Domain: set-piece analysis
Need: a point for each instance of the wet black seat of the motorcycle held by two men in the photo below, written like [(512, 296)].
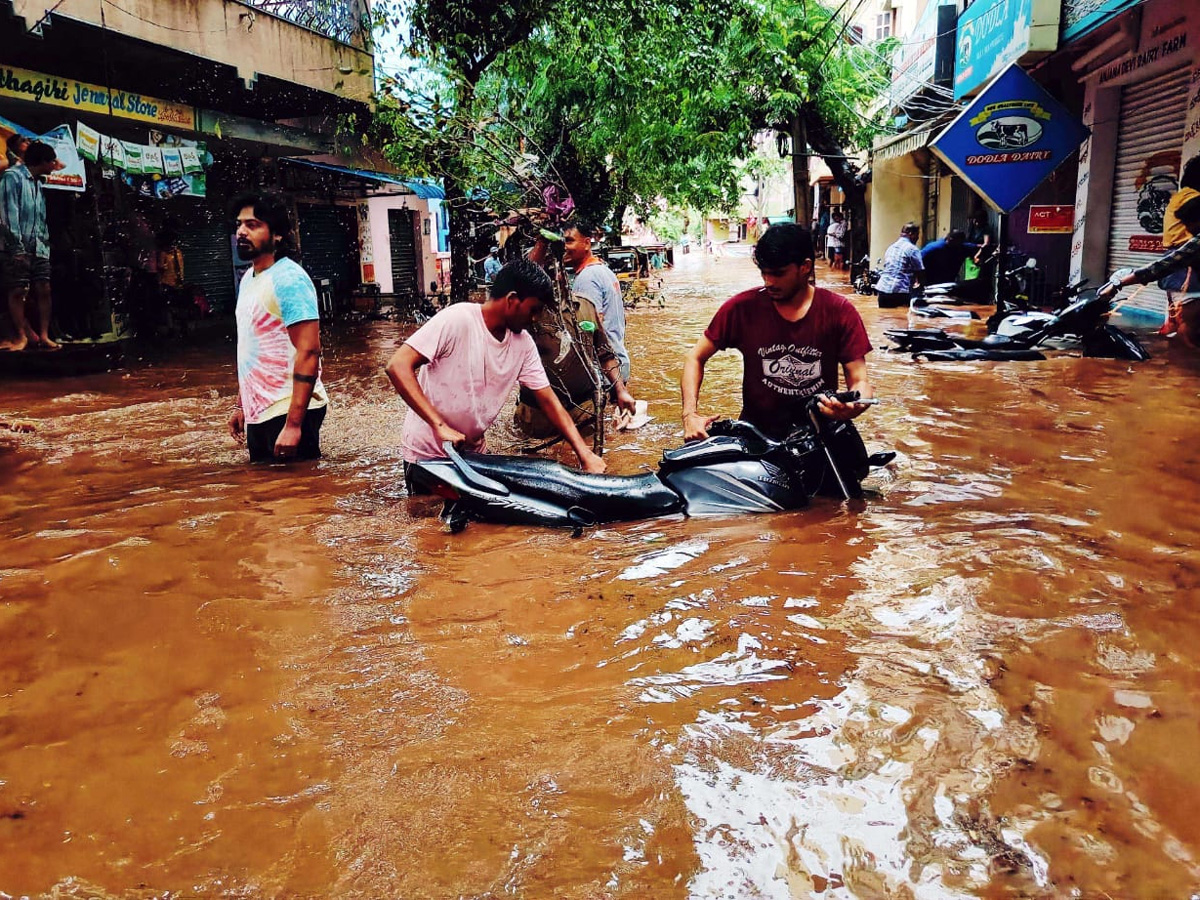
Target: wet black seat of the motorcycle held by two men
[(609, 499)]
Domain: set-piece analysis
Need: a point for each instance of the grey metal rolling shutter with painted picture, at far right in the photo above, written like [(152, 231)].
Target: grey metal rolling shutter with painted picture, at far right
[(1151, 124)]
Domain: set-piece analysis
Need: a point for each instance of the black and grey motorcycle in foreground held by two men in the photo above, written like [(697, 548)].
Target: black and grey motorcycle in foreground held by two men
[(736, 471)]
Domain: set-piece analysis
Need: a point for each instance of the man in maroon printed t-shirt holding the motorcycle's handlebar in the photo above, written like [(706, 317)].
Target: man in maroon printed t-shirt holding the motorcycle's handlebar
[(793, 338)]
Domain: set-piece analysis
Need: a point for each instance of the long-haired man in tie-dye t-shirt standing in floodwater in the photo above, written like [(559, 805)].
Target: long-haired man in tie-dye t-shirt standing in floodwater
[(281, 400)]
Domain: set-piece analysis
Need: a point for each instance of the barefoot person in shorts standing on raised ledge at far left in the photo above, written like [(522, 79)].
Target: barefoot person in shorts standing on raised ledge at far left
[(26, 239)]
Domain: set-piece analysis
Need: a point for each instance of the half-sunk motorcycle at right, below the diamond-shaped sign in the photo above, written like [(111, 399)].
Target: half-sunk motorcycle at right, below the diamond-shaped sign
[(1082, 325)]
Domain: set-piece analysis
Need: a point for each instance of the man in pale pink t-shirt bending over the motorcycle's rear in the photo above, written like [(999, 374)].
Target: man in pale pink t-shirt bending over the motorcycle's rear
[(460, 368)]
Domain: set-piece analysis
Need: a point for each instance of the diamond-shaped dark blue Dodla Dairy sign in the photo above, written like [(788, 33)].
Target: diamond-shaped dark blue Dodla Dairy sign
[(1010, 140)]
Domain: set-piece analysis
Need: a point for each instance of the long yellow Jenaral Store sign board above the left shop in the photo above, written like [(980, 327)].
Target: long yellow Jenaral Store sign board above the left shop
[(52, 91)]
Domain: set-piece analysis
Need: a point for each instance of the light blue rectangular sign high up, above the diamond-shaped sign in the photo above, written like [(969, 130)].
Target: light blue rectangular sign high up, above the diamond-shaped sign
[(991, 37)]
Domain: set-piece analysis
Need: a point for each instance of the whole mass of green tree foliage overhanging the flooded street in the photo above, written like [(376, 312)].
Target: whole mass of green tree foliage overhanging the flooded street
[(628, 104)]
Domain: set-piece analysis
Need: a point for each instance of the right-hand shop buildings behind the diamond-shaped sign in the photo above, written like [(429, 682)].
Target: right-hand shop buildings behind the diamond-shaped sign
[(1129, 70)]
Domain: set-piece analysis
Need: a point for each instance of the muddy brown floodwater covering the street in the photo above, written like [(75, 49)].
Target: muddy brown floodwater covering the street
[(219, 681)]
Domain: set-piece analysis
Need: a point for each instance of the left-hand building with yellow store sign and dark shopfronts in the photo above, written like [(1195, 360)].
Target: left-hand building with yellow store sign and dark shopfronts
[(165, 111)]
